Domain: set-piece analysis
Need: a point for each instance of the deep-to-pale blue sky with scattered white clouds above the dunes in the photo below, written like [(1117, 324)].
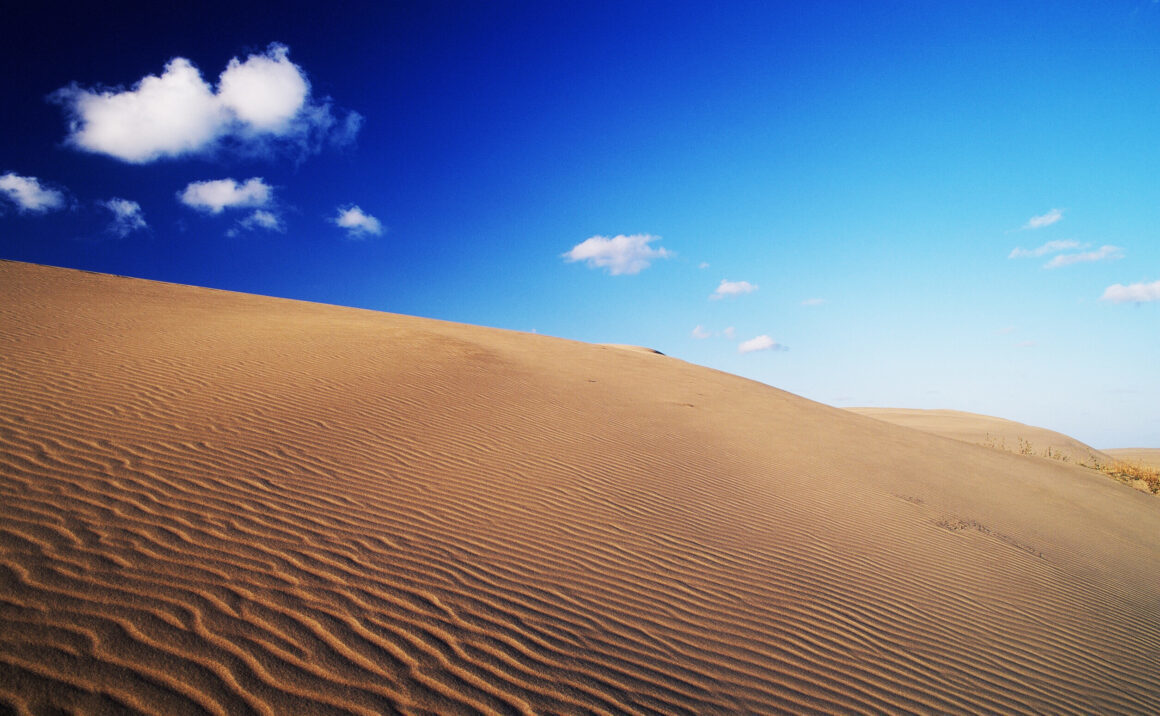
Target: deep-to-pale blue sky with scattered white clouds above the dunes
[(860, 179)]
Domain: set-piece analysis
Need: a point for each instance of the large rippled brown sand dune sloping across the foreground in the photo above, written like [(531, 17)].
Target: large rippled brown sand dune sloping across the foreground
[(227, 504)]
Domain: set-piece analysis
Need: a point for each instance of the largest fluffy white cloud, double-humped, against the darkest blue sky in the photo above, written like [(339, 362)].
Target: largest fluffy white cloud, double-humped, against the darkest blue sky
[(257, 105)]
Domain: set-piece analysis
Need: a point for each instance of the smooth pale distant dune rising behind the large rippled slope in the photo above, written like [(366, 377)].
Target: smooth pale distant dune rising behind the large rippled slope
[(989, 431)]
